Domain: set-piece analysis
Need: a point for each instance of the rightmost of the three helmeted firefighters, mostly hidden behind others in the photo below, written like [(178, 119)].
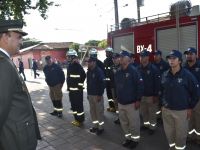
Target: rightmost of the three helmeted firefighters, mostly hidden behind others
[(108, 63)]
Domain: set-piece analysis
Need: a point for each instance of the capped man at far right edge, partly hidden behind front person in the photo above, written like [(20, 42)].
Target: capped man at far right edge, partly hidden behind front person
[(193, 65)]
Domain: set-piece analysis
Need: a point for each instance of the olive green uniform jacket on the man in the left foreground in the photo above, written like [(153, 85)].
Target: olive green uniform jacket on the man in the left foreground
[(18, 123)]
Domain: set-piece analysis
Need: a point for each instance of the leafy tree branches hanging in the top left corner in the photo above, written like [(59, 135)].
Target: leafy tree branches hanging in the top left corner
[(16, 9)]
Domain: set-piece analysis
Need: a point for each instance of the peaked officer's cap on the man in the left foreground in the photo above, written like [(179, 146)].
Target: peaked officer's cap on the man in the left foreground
[(12, 26)]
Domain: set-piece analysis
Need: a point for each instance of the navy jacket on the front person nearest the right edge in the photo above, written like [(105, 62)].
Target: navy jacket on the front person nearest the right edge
[(179, 91)]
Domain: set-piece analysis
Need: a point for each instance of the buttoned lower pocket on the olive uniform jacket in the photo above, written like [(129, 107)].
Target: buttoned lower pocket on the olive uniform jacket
[(26, 135)]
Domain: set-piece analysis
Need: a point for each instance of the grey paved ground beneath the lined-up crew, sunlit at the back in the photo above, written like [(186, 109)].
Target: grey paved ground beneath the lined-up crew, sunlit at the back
[(59, 134)]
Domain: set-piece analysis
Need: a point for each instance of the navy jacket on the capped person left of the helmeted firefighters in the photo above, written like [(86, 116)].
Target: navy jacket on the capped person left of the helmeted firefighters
[(54, 75)]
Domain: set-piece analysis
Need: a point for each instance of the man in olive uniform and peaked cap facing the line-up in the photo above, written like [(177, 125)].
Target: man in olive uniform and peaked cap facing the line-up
[(18, 123)]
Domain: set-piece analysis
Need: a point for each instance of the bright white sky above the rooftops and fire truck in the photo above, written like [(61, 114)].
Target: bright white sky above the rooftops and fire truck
[(83, 20)]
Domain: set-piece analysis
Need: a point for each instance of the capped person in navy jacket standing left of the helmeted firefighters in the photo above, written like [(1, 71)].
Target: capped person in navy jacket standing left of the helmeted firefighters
[(55, 78)]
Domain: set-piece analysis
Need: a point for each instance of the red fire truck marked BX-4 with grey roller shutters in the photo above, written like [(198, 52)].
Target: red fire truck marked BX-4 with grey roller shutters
[(163, 31)]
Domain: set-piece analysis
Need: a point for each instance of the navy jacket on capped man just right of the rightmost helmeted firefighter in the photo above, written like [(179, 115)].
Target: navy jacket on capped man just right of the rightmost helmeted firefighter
[(129, 85)]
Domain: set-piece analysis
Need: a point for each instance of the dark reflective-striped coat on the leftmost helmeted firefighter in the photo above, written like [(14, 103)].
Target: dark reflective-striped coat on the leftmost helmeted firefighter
[(75, 76)]
